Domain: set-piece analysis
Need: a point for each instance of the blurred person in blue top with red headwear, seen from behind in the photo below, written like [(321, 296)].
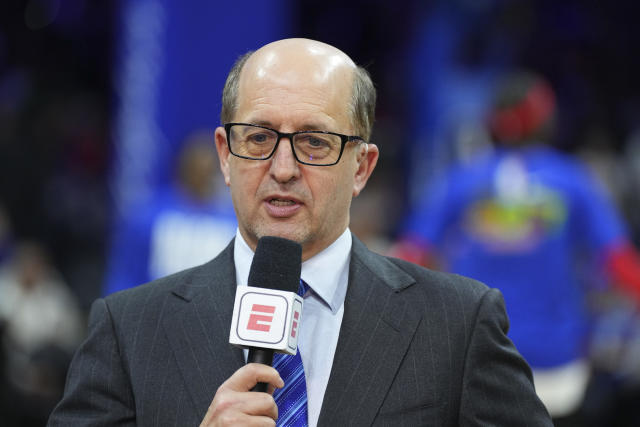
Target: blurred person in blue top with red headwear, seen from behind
[(534, 223)]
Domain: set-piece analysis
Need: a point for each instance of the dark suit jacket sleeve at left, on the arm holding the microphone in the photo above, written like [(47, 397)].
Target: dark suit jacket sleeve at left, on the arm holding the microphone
[(98, 391)]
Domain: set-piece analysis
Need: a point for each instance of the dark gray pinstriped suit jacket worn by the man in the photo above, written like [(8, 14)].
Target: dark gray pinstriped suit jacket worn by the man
[(416, 347)]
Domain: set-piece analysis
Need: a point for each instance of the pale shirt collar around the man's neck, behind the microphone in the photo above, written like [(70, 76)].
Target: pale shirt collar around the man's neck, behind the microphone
[(327, 272)]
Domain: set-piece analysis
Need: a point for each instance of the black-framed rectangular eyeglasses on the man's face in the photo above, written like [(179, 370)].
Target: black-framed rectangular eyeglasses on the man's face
[(313, 147)]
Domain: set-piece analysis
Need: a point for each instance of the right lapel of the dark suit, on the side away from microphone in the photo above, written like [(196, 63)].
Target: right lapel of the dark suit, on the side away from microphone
[(377, 327)]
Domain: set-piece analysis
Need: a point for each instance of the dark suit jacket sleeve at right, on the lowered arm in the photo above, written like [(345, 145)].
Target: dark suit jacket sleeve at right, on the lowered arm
[(497, 384)]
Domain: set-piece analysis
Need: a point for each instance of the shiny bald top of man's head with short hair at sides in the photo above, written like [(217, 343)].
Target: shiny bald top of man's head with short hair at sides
[(293, 63)]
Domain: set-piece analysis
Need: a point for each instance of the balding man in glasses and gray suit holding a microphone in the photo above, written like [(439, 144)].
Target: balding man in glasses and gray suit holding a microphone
[(383, 342)]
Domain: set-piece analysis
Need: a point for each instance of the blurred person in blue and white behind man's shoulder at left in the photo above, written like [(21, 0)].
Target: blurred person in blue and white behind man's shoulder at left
[(185, 225)]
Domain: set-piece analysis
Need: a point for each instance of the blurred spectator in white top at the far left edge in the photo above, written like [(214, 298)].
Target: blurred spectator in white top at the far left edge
[(42, 326)]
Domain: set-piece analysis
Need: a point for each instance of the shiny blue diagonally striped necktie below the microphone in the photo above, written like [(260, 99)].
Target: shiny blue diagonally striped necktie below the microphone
[(292, 398)]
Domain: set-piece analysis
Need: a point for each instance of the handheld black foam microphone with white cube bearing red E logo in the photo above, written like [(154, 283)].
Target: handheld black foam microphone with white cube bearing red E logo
[(267, 312)]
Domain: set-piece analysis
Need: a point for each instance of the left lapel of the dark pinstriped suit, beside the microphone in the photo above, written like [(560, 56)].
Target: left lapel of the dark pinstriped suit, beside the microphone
[(198, 331)]
